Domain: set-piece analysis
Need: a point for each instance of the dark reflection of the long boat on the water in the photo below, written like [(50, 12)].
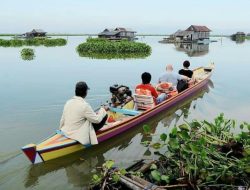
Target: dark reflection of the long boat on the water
[(79, 167)]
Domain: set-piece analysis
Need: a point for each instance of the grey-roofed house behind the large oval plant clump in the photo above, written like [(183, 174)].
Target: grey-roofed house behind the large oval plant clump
[(117, 33)]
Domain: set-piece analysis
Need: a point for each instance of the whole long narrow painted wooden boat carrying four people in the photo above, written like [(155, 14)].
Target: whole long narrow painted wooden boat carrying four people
[(57, 145)]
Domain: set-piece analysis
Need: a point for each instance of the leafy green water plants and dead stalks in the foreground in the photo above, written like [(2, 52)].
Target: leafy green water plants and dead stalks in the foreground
[(195, 155)]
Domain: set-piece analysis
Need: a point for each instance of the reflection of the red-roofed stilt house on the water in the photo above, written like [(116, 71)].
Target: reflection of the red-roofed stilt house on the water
[(192, 49)]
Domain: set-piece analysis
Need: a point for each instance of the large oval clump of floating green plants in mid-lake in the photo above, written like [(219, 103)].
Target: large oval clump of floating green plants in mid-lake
[(98, 48)]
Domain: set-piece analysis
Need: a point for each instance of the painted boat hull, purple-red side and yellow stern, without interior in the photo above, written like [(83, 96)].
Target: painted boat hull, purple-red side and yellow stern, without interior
[(58, 145)]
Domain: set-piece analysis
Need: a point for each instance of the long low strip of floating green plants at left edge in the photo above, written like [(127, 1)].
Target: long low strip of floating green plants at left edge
[(33, 42)]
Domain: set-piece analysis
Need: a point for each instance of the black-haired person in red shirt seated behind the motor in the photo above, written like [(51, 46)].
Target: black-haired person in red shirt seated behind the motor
[(146, 79)]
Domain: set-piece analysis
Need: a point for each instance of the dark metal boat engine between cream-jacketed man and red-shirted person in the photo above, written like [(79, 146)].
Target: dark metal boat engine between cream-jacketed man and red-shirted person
[(120, 95)]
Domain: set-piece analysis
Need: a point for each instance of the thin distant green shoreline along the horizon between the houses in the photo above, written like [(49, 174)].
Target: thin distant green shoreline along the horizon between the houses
[(219, 35)]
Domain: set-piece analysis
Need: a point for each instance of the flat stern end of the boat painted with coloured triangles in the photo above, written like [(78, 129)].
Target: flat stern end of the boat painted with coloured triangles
[(31, 153)]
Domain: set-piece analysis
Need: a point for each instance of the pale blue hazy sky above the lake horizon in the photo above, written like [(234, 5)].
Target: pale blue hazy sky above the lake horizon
[(144, 16)]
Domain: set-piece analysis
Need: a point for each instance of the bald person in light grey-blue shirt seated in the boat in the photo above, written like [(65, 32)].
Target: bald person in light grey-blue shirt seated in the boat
[(172, 77)]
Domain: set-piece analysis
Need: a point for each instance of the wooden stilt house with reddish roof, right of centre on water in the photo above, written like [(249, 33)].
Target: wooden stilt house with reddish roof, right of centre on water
[(192, 33)]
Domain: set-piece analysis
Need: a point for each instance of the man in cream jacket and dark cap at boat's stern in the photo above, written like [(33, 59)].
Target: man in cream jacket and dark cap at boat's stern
[(79, 121)]
